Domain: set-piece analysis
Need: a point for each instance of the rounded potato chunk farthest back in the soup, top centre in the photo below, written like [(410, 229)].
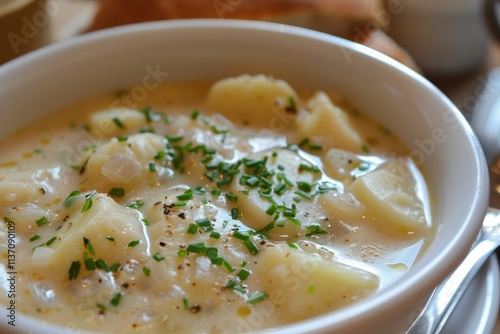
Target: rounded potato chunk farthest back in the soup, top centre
[(259, 101)]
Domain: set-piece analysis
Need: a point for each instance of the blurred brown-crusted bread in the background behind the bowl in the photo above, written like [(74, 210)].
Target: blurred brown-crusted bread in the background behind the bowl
[(348, 19)]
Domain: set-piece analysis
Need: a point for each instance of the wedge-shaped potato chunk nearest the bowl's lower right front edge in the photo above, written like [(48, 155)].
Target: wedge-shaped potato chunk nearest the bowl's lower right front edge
[(309, 285)]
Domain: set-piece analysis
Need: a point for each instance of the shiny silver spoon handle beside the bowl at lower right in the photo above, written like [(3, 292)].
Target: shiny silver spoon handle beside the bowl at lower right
[(446, 296)]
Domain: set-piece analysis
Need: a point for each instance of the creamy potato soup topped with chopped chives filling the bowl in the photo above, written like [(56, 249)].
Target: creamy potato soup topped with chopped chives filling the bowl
[(215, 208)]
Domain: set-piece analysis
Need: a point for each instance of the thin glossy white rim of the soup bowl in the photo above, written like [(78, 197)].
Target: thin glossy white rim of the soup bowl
[(383, 300)]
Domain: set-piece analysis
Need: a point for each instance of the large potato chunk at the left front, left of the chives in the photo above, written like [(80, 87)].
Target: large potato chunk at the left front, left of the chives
[(108, 226)]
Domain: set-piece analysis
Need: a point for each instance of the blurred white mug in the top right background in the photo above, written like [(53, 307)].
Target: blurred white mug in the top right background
[(445, 37)]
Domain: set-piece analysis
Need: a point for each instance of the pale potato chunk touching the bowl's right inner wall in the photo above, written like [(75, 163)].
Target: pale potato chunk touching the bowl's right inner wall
[(390, 194)]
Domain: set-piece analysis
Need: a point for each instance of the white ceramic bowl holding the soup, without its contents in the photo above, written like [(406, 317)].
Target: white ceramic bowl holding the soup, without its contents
[(440, 139)]
